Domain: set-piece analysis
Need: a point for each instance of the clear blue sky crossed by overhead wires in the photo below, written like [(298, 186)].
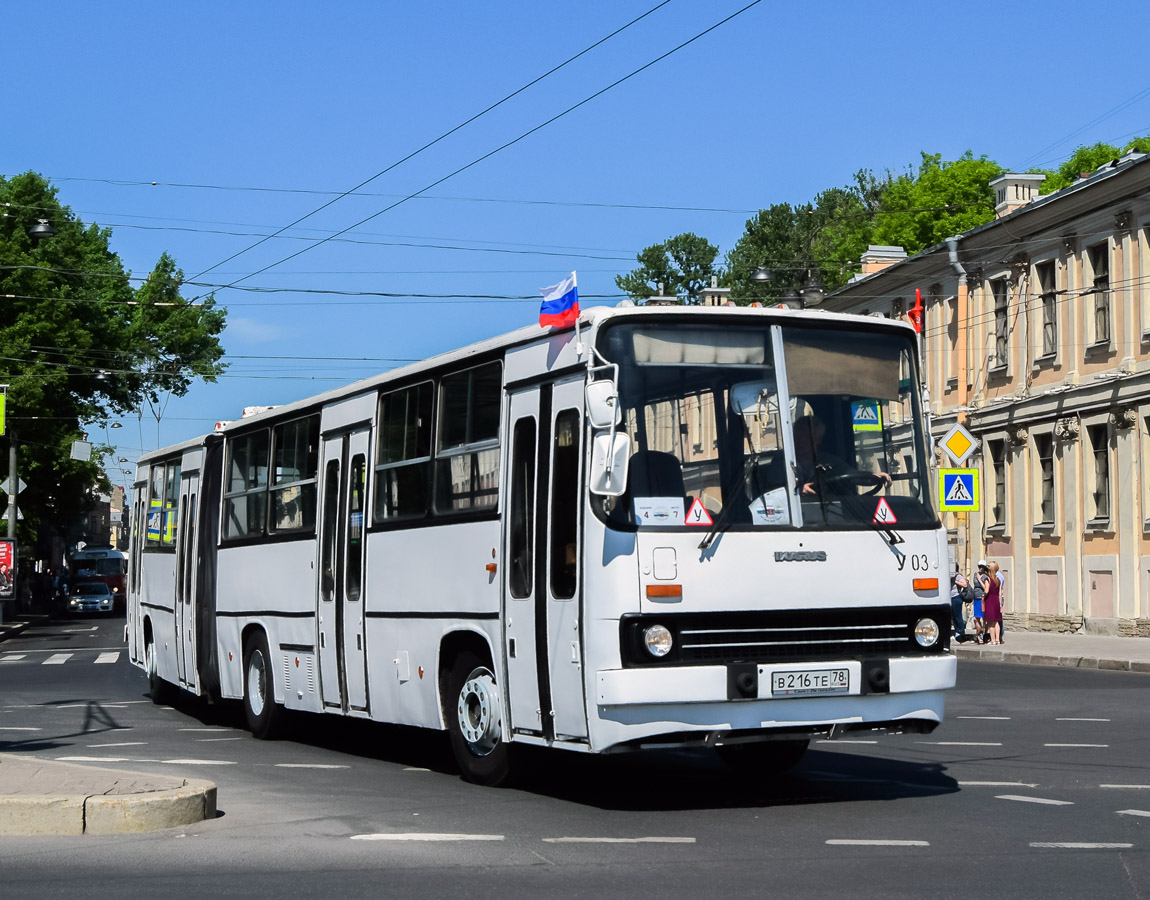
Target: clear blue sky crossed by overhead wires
[(250, 116)]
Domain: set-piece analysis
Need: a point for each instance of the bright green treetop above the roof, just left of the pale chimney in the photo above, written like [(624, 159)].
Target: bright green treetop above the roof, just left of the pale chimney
[(942, 199)]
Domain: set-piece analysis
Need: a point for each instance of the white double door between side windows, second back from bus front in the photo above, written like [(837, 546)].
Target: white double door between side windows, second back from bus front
[(343, 658)]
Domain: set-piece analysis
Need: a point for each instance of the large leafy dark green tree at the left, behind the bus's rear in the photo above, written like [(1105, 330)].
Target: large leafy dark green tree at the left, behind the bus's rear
[(81, 345)]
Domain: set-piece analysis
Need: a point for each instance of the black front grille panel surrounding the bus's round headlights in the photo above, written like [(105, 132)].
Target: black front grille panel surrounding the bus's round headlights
[(783, 636)]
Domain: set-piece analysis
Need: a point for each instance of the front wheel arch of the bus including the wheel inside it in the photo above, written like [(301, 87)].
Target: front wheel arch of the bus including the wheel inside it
[(472, 704)]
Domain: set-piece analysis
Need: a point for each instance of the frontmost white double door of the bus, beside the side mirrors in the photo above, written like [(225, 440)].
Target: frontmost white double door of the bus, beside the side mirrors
[(542, 553)]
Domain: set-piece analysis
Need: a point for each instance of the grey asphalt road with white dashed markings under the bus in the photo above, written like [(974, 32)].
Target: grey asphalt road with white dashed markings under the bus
[(1037, 787)]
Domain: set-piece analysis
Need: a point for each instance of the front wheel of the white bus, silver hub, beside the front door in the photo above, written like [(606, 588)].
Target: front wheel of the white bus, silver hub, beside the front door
[(476, 722)]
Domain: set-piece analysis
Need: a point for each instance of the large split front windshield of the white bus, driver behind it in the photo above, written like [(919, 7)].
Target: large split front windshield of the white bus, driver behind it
[(829, 437)]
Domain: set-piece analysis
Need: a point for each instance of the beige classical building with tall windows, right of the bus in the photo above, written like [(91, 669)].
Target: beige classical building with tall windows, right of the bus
[(1037, 336)]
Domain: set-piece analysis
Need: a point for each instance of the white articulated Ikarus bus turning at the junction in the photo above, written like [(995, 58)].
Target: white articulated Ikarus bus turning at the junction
[(673, 527)]
